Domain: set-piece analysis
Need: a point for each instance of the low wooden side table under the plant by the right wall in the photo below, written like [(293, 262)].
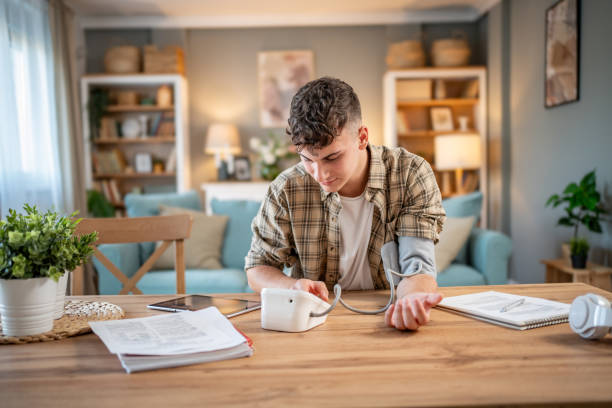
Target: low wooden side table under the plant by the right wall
[(560, 270)]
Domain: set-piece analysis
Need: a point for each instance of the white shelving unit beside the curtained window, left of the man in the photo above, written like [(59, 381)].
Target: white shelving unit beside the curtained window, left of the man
[(180, 177)]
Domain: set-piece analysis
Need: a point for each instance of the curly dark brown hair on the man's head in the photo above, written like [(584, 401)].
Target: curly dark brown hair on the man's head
[(320, 110)]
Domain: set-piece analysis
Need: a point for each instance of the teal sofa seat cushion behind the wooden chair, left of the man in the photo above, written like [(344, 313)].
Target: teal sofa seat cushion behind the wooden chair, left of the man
[(196, 281)]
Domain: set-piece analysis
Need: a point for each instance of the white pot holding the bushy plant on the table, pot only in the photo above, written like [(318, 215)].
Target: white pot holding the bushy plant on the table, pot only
[(27, 305)]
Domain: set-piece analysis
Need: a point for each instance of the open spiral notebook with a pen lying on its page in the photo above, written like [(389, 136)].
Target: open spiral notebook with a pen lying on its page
[(505, 309)]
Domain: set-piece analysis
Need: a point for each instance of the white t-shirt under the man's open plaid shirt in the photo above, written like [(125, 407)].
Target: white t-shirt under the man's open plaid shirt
[(355, 227)]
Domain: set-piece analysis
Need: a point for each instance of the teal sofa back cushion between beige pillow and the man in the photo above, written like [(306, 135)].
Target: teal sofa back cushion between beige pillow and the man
[(237, 241)]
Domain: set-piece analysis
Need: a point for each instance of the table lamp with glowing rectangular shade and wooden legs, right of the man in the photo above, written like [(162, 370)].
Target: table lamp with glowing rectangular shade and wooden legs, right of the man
[(456, 152)]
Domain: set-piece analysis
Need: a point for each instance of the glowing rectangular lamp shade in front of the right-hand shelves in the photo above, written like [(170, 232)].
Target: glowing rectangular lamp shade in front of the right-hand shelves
[(457, 151)]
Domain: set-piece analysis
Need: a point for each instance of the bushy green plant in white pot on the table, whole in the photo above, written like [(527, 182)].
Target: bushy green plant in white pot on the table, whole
[(36, 251)]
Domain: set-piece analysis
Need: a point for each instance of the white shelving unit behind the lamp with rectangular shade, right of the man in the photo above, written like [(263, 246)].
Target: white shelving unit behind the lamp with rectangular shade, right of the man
[(475, 107)]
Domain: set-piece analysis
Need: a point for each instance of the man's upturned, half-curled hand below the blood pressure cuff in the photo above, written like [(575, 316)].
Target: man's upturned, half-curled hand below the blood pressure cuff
[(411, 311)]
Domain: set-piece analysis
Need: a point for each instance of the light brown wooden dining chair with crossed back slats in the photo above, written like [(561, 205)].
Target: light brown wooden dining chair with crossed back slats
[(169, 229)]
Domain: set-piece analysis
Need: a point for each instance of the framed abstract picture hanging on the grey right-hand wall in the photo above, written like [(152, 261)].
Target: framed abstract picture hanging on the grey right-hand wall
[(562, 52)]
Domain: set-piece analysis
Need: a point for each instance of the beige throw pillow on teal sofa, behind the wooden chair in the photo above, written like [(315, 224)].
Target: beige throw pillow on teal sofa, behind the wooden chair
[(203, 247)]
